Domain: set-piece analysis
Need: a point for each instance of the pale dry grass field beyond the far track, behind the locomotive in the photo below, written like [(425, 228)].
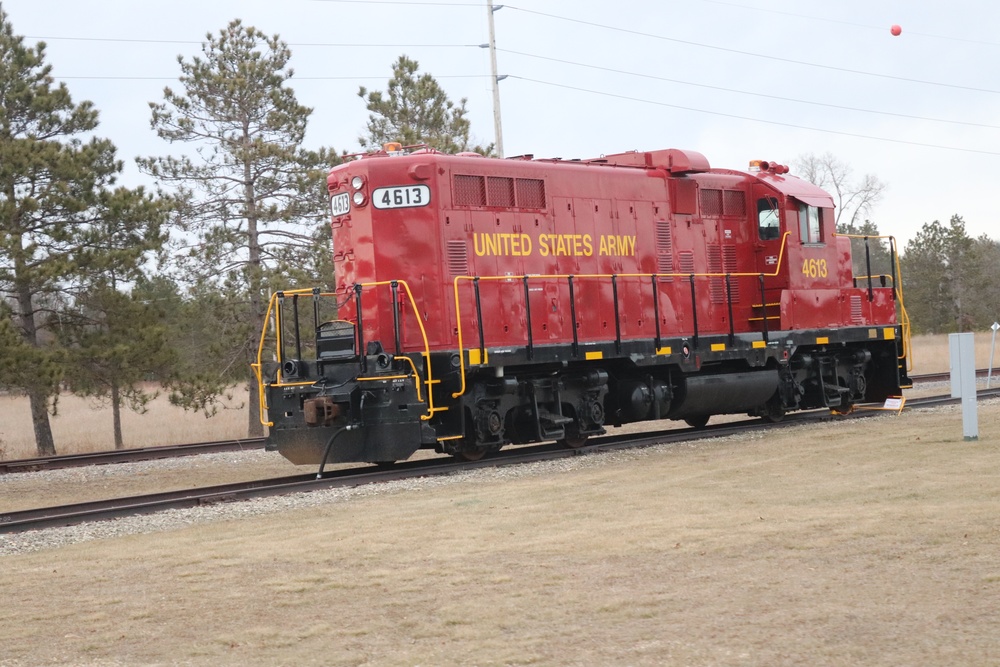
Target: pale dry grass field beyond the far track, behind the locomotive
[(83, 425)]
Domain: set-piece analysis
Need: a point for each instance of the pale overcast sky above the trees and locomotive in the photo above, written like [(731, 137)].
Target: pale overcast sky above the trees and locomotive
[(733, 79)]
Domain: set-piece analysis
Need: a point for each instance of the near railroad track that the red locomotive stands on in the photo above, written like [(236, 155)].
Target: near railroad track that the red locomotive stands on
[(66, 515)]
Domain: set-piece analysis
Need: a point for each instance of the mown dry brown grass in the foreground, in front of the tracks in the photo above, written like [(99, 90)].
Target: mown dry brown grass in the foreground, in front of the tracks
[(856, 543)]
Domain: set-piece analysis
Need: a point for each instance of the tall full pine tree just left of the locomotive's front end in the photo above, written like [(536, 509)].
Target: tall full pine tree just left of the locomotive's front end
[(250, 190)]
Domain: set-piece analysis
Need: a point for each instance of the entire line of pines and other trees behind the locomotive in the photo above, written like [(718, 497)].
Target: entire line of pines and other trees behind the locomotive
[(106, 291)]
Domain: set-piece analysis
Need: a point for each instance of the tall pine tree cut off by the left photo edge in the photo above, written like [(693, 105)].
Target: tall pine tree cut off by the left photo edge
[(51, 177)]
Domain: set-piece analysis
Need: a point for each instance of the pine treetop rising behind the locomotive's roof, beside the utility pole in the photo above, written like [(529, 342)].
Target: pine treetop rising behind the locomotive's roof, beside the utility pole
[(416, 110)]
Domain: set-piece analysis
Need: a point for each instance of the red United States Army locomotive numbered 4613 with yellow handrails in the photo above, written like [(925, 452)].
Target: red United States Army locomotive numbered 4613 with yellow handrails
[(482, 302)]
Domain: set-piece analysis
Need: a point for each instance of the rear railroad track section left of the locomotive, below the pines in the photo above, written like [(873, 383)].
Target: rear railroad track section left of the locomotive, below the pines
[(128, 455)]
